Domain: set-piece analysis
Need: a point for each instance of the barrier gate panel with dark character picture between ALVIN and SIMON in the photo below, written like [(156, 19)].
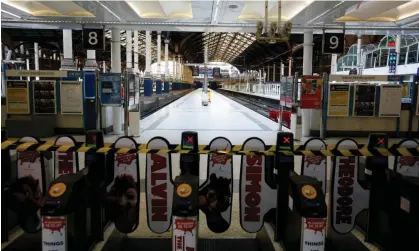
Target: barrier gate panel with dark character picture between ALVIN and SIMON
[(216, 193)]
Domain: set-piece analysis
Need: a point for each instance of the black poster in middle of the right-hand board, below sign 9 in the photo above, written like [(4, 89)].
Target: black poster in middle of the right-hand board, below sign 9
[(364, 100)]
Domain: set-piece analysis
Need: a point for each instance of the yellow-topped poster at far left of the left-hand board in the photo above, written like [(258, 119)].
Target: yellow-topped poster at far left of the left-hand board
[(17, 97)]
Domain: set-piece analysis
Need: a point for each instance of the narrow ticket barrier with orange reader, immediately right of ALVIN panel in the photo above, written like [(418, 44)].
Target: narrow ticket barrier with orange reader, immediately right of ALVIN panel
[(185, 197)]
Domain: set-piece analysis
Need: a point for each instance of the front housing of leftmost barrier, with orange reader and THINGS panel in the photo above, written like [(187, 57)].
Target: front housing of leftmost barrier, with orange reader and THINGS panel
[(64, 214)]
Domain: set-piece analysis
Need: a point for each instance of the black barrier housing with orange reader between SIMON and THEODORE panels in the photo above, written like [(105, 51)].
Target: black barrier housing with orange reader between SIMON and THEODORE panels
[(306, 228)]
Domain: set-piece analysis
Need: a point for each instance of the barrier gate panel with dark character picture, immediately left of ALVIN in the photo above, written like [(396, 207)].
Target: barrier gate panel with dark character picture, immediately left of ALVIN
[(124, 194)]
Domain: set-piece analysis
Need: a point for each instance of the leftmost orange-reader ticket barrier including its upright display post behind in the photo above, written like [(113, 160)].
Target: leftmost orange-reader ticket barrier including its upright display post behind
[(72, 214)]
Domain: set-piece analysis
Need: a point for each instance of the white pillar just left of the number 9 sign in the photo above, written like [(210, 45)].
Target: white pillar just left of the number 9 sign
[(307, 70)]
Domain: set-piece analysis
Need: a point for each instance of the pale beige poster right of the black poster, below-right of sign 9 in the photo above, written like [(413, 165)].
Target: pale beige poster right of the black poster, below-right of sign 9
[(390, 100)]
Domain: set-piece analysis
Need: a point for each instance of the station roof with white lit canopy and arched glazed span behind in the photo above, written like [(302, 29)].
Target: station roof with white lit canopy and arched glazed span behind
[(226, 27)]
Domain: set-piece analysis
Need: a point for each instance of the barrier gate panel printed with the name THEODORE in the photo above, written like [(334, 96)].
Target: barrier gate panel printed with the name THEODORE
[(349, 198)]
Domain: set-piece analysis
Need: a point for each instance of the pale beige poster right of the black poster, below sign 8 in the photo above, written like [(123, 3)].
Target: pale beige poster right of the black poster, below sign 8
[(71, 96)]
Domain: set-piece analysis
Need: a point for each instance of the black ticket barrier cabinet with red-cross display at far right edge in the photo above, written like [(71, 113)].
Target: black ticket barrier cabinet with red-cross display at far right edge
[(392, 219)]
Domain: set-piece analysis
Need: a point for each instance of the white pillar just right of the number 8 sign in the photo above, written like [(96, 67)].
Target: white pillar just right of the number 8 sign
[(116, 68)]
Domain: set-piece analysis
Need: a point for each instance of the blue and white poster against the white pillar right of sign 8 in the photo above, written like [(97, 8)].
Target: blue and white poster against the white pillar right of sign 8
[(110, 89)]
